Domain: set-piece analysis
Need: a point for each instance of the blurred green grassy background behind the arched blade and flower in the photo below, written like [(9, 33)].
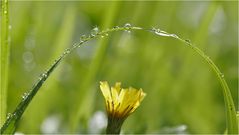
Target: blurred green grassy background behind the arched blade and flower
[(181, 88)]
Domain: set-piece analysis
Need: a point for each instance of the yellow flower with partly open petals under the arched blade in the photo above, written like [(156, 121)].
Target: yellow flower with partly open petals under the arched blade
[(120, 103)]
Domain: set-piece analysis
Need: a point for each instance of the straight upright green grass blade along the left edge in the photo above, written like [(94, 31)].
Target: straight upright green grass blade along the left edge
[(4, 57)]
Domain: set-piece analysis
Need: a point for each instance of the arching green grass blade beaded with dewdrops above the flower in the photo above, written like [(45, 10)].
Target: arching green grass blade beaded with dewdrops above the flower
[(9, 126)]
